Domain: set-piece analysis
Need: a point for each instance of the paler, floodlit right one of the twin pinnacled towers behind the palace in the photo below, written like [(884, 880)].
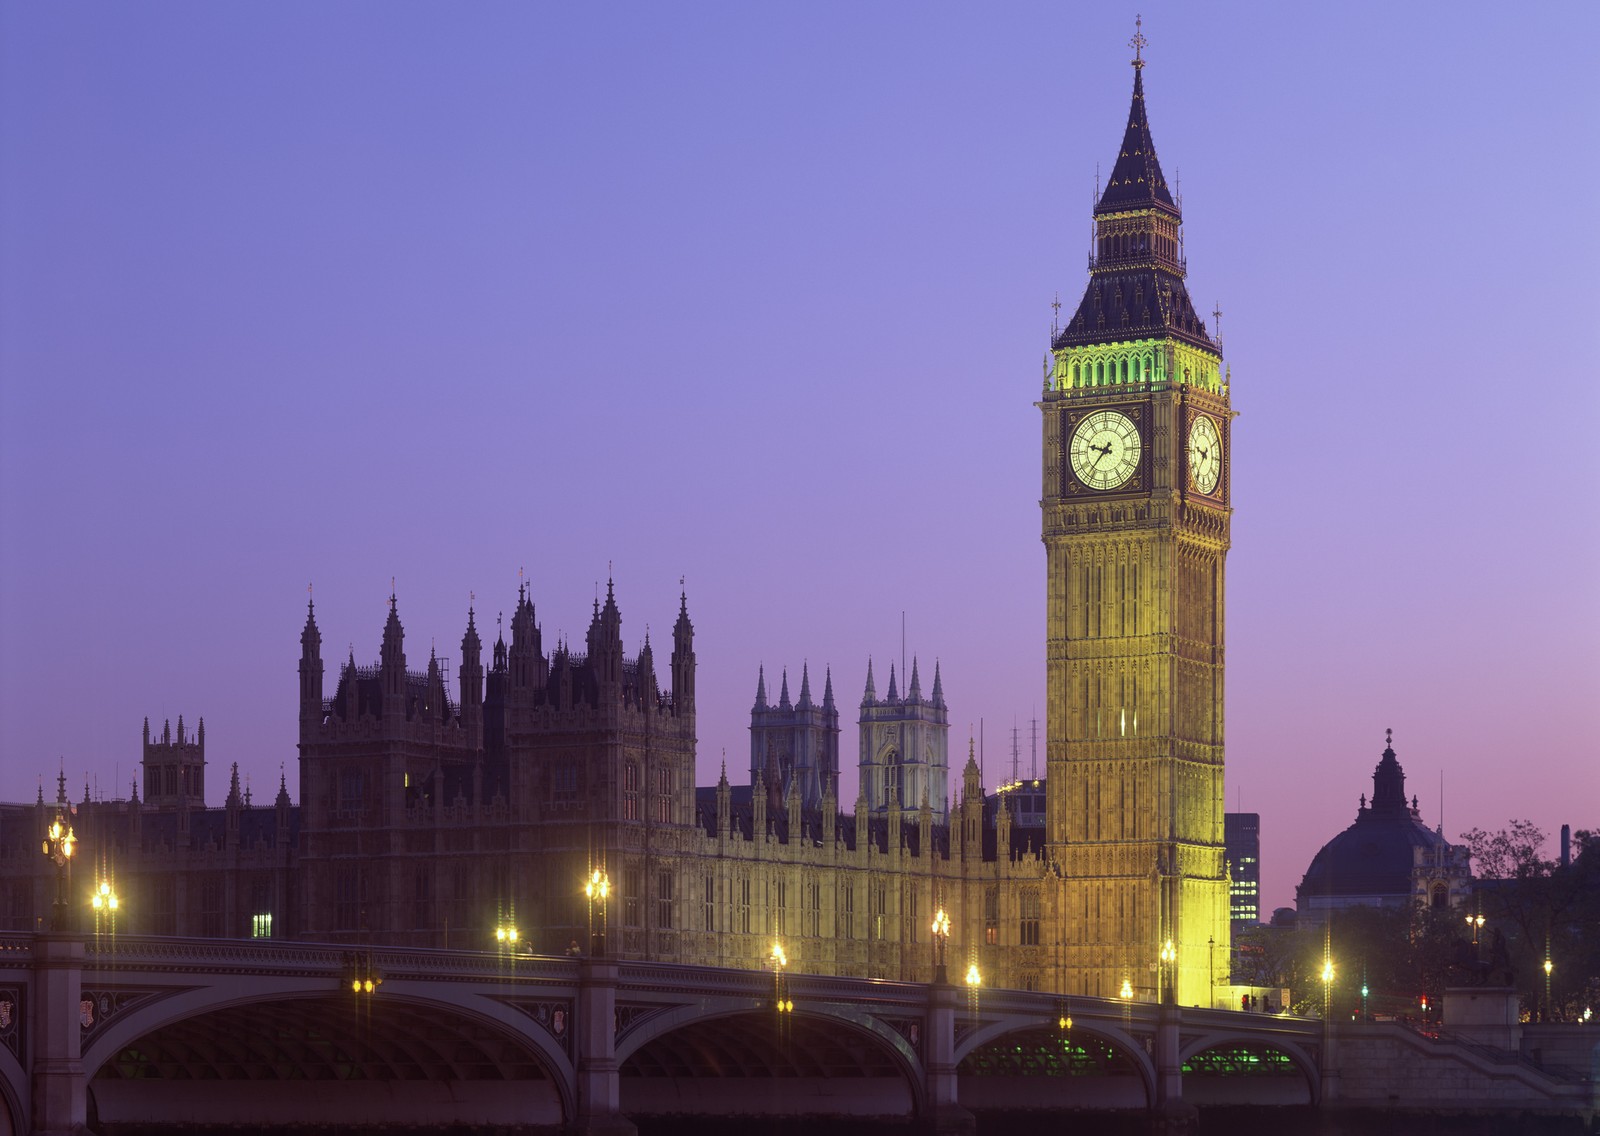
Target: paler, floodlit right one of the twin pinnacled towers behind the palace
[(905, 756)]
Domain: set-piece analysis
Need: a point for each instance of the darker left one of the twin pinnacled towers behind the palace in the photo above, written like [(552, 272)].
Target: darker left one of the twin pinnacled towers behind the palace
[(794, 746)]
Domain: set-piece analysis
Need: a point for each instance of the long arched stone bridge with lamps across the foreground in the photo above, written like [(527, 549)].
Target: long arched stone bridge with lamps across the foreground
[(214, 1033)]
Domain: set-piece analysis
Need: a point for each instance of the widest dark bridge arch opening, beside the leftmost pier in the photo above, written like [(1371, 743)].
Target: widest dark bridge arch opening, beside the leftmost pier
[(409, 1052)]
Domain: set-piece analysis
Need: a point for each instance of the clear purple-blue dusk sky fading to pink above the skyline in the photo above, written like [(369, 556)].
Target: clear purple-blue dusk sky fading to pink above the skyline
[(758, 295)]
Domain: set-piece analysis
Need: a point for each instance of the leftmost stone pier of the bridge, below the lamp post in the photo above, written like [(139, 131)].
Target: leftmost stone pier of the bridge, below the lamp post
[(60, 1090)]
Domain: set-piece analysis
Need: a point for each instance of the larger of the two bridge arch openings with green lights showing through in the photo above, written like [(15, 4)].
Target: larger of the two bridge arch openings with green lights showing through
[(1023, 1063)]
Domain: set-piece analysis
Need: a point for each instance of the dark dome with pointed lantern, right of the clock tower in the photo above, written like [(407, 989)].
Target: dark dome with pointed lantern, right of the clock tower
[(1375, 858)]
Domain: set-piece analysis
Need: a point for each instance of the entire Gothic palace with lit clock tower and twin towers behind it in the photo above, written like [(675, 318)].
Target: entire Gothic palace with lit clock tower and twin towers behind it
[(436, 810)]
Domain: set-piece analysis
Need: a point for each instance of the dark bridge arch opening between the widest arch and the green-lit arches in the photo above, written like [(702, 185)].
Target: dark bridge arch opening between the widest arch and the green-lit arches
[(823, 1060)]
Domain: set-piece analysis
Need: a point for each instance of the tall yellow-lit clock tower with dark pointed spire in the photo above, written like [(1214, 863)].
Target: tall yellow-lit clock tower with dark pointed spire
[(1137, 511)]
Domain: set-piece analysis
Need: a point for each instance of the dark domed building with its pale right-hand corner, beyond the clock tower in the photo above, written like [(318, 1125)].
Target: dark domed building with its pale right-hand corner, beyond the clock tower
[(1388, 858)]
